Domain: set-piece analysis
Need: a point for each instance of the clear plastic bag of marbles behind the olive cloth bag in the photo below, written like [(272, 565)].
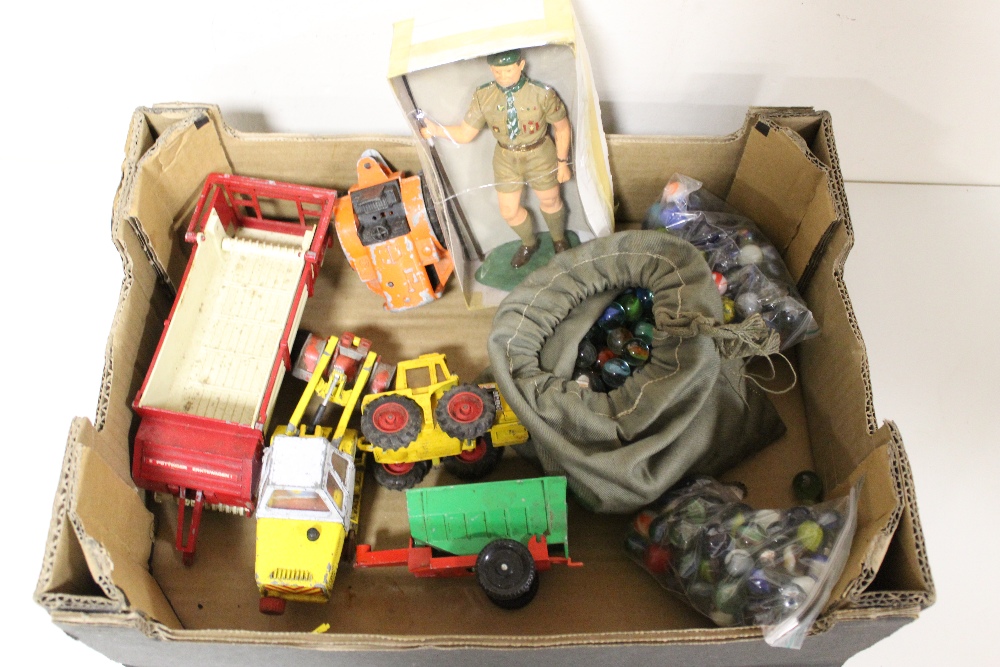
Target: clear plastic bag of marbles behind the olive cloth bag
[(748, 269)]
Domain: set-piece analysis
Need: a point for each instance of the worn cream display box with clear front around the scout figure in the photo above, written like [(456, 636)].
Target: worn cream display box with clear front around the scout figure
[(436, 65)]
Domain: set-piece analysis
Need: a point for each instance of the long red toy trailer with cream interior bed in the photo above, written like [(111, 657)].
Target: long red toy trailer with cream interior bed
[(210, 389)]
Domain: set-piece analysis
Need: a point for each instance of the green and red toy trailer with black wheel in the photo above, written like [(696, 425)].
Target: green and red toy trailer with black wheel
[(503, 532)]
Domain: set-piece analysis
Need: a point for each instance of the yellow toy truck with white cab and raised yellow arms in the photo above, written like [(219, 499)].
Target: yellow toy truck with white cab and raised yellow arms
[(310, 480)]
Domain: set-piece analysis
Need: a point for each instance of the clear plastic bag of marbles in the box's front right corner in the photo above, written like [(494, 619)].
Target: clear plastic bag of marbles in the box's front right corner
[(741, 566)]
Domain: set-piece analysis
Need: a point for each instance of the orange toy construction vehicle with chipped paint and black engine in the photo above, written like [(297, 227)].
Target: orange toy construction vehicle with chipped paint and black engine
[(391, 236)]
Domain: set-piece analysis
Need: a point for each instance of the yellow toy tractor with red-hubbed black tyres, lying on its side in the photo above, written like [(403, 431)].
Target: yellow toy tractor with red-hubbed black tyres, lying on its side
[(431, 418)]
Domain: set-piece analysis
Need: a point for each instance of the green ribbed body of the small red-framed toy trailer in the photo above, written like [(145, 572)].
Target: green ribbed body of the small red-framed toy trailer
[(463, 519)]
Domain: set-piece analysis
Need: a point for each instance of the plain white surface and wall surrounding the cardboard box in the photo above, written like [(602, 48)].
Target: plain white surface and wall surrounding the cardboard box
[(912, 86)]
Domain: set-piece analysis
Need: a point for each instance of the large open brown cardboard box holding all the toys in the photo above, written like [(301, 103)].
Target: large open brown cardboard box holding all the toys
[(112, 578)]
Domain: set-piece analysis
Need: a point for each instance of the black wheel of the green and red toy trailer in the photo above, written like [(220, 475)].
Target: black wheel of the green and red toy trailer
[(506, 572)]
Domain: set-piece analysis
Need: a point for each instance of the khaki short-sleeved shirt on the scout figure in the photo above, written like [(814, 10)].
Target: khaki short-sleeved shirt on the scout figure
[(537, 106)]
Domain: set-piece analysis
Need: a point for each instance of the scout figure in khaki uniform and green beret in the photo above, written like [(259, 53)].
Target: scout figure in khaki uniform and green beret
[(519, 111)]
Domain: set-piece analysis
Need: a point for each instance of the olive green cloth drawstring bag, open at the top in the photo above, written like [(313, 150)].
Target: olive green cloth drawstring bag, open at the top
[(690, 409)]
